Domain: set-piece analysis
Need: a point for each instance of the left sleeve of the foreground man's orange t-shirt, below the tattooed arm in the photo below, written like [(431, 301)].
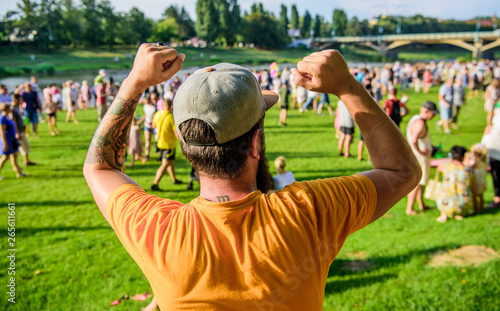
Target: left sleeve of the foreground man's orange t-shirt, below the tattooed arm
[(137, 218)]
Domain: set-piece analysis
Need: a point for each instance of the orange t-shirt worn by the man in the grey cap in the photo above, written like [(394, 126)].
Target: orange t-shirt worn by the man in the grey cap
[(262, 252)]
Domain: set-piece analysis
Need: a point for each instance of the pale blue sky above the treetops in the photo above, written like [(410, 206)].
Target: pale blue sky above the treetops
[(363, 9)]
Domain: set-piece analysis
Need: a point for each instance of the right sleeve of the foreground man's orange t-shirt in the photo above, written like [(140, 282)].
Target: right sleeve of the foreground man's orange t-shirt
[(341, 206)]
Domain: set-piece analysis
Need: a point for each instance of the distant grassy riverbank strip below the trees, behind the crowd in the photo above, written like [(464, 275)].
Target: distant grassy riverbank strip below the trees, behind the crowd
[(14, 62)]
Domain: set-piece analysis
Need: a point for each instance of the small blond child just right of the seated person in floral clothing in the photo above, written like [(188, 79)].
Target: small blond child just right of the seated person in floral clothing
[(477, 161)]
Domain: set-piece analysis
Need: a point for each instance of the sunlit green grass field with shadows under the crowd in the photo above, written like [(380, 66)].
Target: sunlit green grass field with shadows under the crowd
[(68, 258)]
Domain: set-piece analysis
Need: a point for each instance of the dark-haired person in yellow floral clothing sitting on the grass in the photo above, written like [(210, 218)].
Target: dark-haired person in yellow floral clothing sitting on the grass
[(454, 199)]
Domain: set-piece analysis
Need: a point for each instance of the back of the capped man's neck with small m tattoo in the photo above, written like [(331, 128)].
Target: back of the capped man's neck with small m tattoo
[(225, 190)]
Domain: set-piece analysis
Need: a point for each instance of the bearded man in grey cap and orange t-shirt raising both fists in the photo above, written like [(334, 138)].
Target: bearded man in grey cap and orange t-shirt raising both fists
[(239, 246)]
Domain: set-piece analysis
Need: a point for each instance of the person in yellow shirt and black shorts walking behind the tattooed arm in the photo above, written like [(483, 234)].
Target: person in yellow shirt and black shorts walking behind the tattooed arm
[(163, 122)]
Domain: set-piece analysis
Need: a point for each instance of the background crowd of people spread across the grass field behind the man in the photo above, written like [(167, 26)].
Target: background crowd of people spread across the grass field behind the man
[(28, 105)]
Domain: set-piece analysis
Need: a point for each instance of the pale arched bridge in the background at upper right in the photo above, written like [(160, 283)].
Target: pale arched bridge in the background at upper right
[(475, 41)]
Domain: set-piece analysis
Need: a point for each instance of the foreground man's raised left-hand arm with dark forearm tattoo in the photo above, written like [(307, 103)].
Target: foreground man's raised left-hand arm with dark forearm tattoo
[(102, 170)]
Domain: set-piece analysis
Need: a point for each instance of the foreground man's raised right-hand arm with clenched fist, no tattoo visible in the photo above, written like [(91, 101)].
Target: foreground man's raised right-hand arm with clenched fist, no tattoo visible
[(396, 170)]
